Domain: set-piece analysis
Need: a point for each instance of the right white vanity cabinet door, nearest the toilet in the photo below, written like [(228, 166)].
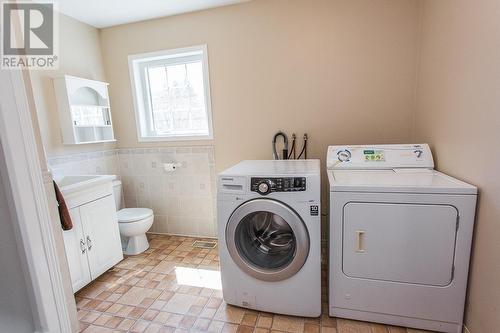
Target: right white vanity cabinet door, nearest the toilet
[(102, 235)]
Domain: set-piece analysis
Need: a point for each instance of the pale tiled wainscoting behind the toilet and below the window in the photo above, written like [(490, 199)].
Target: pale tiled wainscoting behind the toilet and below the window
[(183, 201)]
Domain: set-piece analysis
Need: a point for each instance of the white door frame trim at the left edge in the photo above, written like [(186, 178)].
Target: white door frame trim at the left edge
[(29, 207)]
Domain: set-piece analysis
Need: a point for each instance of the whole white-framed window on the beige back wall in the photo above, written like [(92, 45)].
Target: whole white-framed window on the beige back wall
[(172, 94)]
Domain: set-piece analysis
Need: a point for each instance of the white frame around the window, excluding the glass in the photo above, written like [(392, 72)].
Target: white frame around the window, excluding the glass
[(140, 91)]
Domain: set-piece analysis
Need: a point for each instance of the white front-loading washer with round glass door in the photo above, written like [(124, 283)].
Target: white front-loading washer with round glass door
[(269, 236)]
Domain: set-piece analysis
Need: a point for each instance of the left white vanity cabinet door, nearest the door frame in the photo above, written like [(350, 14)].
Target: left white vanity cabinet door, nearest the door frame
[(76, 252)]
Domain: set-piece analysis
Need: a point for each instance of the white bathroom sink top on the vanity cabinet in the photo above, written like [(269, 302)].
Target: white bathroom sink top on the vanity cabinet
[(78, 189)]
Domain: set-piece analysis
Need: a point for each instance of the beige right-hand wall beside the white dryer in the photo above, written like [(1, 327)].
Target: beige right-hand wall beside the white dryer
[(459, 115)]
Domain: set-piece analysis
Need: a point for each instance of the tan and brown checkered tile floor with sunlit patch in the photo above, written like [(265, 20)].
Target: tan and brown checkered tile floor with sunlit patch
[(174, 287)]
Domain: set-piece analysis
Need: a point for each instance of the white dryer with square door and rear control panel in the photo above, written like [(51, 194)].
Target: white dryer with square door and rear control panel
[(400, 237)]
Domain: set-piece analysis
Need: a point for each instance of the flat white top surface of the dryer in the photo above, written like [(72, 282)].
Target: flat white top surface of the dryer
[(397, 181)]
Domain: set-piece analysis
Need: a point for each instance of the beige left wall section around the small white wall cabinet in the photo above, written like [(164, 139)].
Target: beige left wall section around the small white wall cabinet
[(79, 55)]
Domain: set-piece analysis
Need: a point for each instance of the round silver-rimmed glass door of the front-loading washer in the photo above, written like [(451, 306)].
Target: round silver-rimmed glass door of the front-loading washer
[(267, 239)]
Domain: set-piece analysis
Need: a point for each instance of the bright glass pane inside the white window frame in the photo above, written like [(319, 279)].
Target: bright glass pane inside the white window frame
[(177, 99)]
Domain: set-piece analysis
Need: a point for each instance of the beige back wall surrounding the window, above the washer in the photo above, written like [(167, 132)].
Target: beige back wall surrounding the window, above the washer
[(343, 71)]
